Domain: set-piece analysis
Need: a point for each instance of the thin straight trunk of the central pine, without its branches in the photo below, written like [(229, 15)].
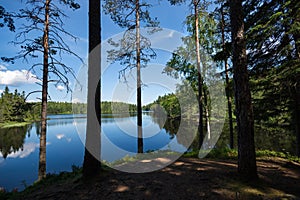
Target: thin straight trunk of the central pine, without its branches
[(138, 80)]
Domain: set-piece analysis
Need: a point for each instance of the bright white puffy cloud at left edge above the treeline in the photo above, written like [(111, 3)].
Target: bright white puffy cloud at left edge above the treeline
[(17, 77)]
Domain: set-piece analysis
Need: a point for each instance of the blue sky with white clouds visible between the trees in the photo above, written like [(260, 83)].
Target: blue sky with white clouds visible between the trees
[(16, 75)]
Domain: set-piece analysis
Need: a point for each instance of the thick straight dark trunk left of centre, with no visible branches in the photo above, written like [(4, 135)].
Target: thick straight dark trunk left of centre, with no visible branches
[(91, 163)]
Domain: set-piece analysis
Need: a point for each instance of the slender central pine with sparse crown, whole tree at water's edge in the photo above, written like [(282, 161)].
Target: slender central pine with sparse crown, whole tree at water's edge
[(133, 50)]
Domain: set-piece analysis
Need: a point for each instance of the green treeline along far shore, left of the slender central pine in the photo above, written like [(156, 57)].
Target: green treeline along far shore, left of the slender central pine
[(15, 108)]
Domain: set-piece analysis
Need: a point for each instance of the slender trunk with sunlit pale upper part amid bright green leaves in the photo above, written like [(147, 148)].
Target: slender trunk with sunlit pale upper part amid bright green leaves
[(200, 87)]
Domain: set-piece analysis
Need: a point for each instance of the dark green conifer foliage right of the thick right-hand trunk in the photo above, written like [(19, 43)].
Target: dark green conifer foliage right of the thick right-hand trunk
[(273, 39)]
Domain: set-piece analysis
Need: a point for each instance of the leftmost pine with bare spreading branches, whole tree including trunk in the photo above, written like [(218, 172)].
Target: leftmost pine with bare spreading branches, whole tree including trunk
[(39, 17)]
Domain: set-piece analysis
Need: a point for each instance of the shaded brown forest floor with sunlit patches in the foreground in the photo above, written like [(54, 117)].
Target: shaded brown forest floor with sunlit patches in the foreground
[(187, 178)]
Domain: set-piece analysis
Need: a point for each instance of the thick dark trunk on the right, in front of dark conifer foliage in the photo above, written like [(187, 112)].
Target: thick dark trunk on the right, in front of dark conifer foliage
[(245, 122)]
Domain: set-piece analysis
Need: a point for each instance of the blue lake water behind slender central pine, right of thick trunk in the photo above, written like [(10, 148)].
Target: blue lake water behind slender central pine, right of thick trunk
[(120, 136)]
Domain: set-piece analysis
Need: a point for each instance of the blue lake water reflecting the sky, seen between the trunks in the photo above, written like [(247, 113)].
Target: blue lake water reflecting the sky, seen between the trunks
[(19, 147)]
